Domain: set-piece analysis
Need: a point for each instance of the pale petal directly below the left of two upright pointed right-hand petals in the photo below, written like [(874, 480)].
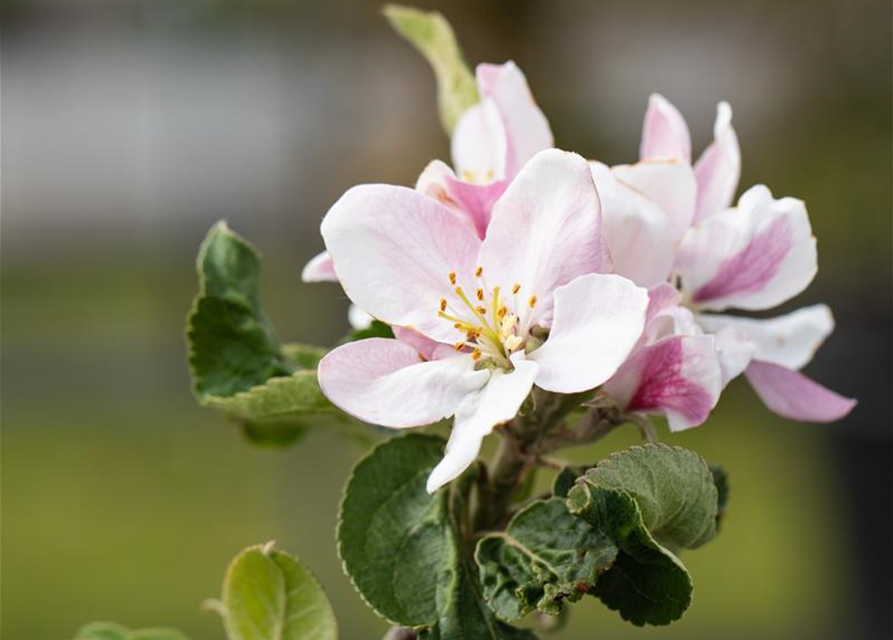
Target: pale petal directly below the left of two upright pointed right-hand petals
[(670, 184)]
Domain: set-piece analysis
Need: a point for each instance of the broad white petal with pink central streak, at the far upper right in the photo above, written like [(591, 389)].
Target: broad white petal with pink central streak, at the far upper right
[(753, 257)]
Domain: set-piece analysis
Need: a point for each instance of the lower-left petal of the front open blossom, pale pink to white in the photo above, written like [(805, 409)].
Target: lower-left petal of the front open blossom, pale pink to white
[(385, 382)]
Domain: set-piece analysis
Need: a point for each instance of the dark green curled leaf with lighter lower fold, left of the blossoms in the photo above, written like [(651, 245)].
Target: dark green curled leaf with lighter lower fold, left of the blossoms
[(238, 365)]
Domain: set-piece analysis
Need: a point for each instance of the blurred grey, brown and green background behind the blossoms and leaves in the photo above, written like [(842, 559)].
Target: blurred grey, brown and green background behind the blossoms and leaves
[(130, 126)]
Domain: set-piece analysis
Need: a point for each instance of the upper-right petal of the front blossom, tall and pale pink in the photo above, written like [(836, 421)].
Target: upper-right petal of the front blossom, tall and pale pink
[(545, 231)]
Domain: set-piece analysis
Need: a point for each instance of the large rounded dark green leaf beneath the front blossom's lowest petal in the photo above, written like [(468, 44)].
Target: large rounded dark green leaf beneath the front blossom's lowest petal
[(405, 550)]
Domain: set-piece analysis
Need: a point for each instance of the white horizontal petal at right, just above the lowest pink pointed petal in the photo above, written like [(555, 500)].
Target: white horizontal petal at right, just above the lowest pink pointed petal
[(789, 341)]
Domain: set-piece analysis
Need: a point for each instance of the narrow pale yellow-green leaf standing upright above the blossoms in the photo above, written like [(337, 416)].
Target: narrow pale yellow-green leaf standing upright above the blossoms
[(432, 36)]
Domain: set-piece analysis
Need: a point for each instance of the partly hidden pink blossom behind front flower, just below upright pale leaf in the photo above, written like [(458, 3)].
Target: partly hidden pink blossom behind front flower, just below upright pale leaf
[(490, 144)]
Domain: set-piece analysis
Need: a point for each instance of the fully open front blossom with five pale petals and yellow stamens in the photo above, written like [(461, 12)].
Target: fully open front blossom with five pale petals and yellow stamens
[(479, 321)]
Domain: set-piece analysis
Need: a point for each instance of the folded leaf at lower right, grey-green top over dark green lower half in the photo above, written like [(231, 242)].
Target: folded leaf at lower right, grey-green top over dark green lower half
[(648, 500)]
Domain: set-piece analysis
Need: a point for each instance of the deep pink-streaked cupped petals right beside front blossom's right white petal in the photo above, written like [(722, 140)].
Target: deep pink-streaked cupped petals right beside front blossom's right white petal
[(674, 370)]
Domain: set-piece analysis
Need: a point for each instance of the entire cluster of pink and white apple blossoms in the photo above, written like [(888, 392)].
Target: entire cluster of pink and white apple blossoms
[(526, 265)]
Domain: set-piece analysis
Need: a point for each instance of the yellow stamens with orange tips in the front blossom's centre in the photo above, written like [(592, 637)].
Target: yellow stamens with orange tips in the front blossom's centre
[(487, 320)]
